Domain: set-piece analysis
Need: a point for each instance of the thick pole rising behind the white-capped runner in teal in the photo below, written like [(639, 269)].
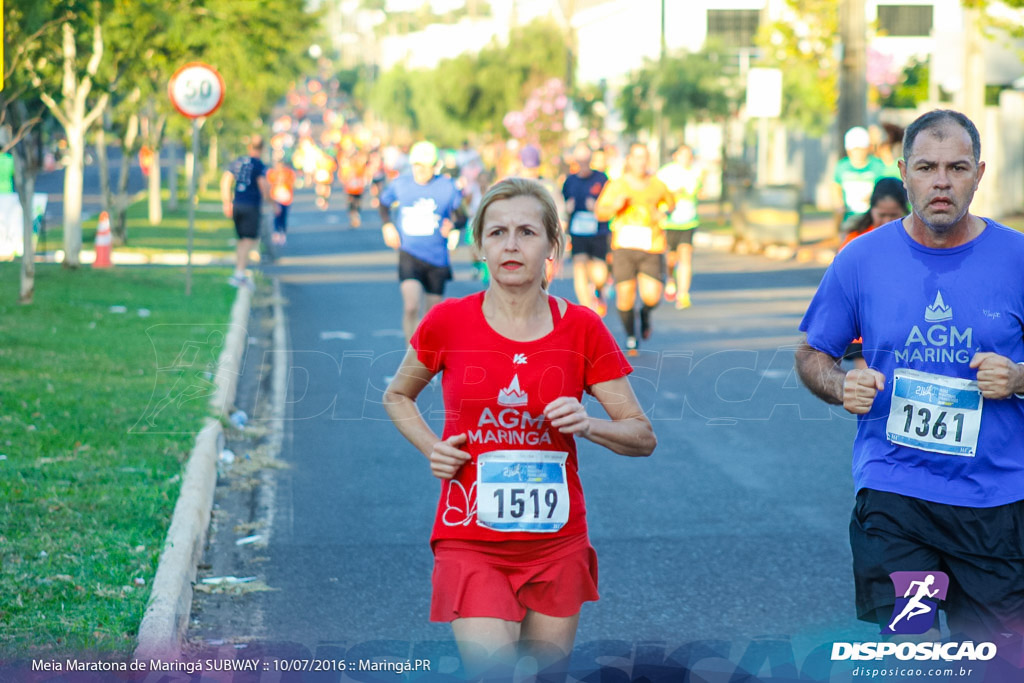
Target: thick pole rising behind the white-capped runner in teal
[(854, 68)]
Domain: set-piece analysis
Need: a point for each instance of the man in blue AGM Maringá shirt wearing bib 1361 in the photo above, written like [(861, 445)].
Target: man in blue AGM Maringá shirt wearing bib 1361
[(938, 460)]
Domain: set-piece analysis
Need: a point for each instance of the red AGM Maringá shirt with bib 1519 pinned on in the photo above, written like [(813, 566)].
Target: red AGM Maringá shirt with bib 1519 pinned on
[(495, 392)]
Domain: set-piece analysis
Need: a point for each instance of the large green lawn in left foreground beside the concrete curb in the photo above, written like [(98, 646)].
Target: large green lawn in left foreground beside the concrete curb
[(92, 471)]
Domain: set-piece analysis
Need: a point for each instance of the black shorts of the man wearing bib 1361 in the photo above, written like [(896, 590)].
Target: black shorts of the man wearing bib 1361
[(982, 550)]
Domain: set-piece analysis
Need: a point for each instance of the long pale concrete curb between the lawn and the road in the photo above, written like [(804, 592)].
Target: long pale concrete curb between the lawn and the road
[(166, 619)]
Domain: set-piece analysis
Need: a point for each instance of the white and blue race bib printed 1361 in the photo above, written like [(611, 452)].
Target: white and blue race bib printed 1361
[(935, 413)]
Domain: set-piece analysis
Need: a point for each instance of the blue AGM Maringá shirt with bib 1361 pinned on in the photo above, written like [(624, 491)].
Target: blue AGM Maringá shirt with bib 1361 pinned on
[(930, 311)]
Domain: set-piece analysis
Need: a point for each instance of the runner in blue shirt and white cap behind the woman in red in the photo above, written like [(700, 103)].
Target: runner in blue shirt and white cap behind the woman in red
[(423, 203)]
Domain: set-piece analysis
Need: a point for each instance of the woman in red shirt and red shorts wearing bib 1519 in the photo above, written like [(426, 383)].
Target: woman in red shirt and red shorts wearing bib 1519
[(513, 559)]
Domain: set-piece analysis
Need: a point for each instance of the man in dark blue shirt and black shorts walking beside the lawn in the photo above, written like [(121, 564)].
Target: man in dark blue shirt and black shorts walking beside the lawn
[(243, 188)]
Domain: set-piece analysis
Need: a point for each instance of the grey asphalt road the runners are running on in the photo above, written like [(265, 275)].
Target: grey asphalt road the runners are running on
[(732, 540)]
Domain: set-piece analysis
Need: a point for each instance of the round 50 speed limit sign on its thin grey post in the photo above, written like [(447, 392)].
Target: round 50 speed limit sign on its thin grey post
[(196, 91)]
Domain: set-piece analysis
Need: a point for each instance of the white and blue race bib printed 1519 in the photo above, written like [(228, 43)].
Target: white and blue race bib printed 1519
[(523, 491)]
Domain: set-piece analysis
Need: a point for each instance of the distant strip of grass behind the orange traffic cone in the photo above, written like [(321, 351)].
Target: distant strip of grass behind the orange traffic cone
[(214, 233)]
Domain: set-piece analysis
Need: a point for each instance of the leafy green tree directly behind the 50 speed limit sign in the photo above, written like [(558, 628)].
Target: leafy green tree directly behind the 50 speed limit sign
[(250, 45)]
